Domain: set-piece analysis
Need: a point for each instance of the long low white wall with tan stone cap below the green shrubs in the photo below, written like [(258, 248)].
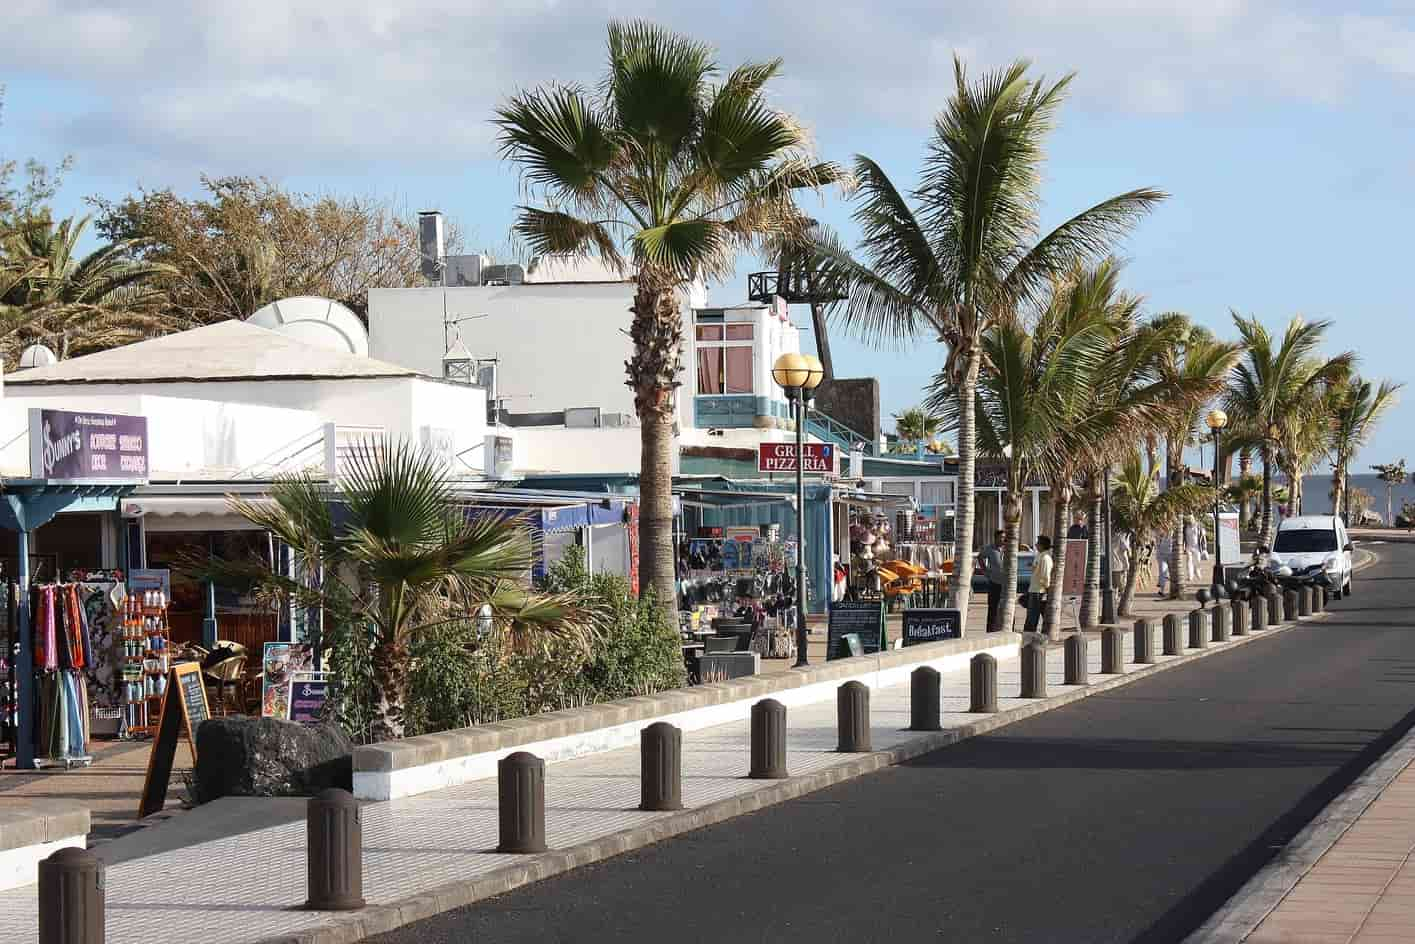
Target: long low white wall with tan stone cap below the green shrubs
[(420, 765)]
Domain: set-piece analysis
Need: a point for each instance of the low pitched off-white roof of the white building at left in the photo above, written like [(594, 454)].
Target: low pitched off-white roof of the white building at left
[(224, 352)]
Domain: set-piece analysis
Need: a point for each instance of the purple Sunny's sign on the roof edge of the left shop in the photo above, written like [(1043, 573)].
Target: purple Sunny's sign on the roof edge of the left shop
[(88, 448)]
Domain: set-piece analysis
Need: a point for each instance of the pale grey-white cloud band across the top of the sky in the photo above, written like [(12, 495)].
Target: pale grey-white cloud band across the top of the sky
[(299, 87)]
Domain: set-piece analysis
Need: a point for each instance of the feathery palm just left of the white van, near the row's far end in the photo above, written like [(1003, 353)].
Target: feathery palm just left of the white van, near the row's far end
[(1277, 384)]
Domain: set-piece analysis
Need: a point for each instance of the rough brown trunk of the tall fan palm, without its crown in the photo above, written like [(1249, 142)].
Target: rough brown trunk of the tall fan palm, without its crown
[(653, 373)]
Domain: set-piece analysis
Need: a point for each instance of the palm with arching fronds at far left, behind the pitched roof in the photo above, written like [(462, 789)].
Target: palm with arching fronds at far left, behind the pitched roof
[(73, 304)]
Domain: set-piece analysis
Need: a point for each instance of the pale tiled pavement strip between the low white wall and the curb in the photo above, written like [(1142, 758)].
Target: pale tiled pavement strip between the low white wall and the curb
[(247, 888)]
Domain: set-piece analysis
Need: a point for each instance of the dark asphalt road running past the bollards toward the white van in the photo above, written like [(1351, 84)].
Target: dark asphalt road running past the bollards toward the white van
[(1127, 817)]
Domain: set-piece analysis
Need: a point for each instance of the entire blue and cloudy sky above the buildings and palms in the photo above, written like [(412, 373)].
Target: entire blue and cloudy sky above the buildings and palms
[(1284, 132)]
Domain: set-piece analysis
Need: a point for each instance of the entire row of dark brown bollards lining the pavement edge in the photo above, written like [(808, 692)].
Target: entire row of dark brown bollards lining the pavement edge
[(71, 881)]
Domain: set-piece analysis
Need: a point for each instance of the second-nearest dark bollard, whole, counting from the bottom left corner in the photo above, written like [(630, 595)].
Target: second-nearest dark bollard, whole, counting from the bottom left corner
[(335, 853)]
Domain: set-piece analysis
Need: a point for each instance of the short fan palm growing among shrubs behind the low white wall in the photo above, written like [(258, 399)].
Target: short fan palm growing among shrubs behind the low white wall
[(400, 558)]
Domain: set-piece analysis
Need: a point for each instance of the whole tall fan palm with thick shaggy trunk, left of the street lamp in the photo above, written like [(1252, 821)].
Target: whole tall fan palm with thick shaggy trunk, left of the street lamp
[(683, 171)]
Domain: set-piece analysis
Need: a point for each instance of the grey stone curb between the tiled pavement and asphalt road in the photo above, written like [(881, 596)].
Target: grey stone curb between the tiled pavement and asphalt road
[(380, 919)]
